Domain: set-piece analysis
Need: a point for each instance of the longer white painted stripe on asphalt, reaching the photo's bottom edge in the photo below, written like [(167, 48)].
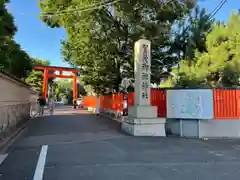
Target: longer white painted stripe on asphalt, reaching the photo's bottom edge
[(38, 175)]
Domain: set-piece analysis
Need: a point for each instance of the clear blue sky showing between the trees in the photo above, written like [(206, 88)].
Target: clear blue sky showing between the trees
[(42, 42)]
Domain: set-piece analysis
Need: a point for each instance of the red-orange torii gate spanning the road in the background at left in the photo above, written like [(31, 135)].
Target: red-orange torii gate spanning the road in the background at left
[(46, 76)]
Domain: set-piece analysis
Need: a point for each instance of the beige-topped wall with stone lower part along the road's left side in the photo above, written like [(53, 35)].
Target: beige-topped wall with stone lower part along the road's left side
[(15, 103)]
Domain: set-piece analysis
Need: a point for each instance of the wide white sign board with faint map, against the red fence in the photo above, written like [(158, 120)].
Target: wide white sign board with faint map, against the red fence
[(190, 104)]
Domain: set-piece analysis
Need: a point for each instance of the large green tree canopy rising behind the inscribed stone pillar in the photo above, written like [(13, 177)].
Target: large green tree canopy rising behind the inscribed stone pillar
[(101, 40)]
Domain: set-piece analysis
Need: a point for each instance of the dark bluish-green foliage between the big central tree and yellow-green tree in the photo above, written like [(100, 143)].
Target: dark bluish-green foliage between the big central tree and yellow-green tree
[(190, 33)]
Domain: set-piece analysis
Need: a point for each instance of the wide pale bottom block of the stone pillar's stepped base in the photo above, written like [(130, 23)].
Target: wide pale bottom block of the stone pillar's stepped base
[(144, 127)]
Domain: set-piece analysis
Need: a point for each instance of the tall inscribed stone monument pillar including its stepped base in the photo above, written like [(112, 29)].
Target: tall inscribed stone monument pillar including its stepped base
[(142, 118)]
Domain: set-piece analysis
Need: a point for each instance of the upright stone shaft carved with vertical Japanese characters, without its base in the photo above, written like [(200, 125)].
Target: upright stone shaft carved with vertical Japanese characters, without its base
[(142, 68)]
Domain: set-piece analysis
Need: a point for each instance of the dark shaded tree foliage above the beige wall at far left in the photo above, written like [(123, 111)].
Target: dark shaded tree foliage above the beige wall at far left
[(12, 58)]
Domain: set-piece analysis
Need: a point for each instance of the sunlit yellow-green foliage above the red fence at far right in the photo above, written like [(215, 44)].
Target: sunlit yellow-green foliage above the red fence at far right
[(220, 65)]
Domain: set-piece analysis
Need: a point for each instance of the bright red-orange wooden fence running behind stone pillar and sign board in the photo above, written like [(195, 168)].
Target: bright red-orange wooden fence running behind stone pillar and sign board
[(226, 103)]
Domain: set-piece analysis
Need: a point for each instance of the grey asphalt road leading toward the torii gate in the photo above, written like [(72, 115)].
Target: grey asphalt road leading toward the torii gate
[(76, 145)]
